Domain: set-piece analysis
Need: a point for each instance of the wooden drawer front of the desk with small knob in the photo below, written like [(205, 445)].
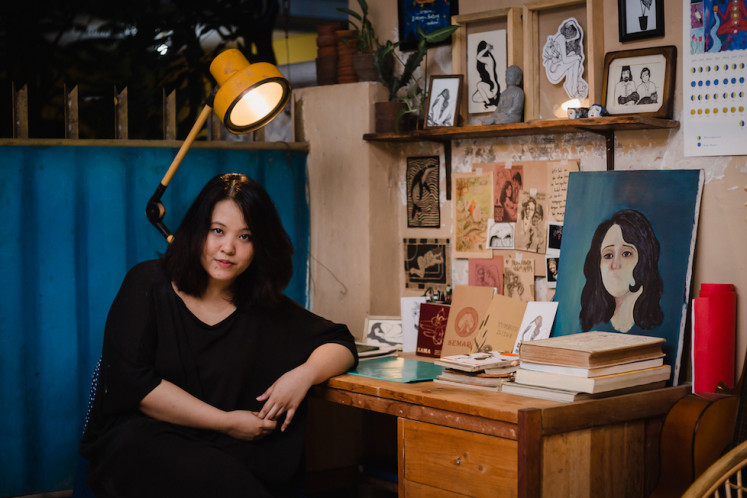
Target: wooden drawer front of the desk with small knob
[(463, 462)]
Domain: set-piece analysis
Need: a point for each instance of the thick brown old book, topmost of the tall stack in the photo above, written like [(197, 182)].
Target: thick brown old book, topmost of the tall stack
[(591, 349)]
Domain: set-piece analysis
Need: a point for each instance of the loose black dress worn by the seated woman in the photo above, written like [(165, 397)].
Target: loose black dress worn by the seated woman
[(151, 335)]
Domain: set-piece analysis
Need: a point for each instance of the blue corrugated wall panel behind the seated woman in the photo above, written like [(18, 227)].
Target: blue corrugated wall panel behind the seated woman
[(72, 223)]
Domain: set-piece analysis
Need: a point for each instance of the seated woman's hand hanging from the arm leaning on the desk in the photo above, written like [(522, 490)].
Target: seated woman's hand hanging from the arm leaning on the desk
[(285, 395)]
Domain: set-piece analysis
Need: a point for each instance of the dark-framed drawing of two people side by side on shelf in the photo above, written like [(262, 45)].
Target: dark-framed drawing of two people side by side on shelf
[(640, 81)]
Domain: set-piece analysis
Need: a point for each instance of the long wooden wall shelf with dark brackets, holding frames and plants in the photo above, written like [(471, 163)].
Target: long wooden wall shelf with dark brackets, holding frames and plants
[(606, 126)]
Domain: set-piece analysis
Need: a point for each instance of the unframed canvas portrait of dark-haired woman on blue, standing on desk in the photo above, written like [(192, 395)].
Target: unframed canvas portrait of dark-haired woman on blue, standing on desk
[(628, 241)]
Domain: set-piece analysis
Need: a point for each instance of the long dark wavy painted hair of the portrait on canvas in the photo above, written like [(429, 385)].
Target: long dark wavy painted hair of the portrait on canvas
[(597, 305)]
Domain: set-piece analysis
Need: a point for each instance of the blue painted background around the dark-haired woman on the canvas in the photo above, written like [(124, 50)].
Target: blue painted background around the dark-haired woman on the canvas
[(670, 201)]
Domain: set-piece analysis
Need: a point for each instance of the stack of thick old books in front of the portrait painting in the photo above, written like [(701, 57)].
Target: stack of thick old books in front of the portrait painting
[(589, 365)]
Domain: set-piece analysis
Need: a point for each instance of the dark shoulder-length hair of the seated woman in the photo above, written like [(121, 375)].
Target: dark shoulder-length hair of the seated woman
[(271, 269)]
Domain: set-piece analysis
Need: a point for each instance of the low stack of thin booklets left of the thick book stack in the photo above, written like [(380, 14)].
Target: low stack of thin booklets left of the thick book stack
[(478, 370)]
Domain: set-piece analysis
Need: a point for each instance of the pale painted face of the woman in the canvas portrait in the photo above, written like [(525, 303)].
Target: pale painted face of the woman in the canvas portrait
[(618, 260)]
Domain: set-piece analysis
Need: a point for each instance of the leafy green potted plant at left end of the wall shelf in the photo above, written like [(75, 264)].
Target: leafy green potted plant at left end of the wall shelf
[(390, 113)]
